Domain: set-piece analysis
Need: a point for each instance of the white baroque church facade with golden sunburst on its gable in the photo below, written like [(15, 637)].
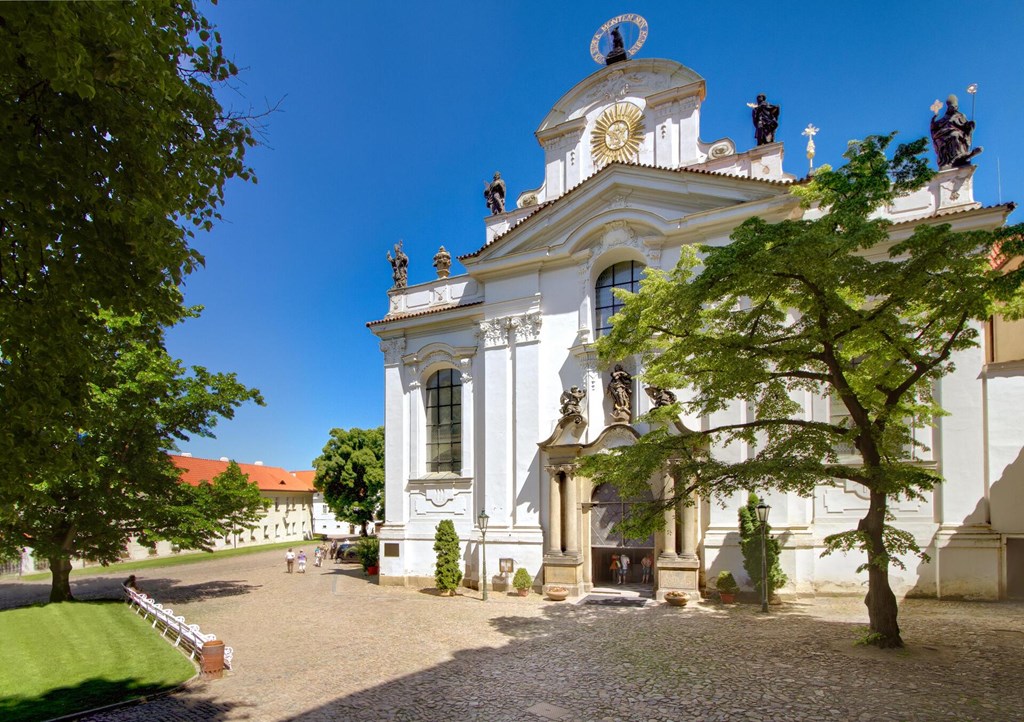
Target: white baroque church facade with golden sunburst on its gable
[(477, 366)]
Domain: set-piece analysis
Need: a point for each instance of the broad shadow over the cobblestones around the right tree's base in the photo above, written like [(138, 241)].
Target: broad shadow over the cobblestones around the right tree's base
[(662, 663)]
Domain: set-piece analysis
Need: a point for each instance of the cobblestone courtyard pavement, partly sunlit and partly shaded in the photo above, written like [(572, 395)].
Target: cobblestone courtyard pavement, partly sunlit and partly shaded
[(331, 646)]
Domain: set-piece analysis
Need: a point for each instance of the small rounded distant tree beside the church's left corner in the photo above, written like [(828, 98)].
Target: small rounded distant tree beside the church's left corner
[(351, 474)]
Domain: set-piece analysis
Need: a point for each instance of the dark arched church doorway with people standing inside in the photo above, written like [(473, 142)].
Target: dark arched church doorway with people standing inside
[(607, 509)]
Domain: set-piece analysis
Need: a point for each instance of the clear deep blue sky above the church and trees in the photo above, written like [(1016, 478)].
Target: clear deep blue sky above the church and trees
[(395, 115)]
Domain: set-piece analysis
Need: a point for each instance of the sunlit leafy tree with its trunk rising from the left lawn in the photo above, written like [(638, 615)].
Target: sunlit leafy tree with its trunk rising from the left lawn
[(140, 403)]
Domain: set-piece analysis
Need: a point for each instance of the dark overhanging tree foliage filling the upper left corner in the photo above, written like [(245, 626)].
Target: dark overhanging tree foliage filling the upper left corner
[(116, 154)]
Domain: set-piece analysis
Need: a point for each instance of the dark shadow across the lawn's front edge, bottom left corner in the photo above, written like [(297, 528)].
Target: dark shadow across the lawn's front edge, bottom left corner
[(95, 694)]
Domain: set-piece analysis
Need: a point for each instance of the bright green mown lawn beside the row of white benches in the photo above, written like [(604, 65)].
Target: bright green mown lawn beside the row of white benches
[(60, 659)]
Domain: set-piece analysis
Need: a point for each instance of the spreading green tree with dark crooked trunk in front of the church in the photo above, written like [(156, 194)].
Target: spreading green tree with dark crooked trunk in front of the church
[(831, 307)]
